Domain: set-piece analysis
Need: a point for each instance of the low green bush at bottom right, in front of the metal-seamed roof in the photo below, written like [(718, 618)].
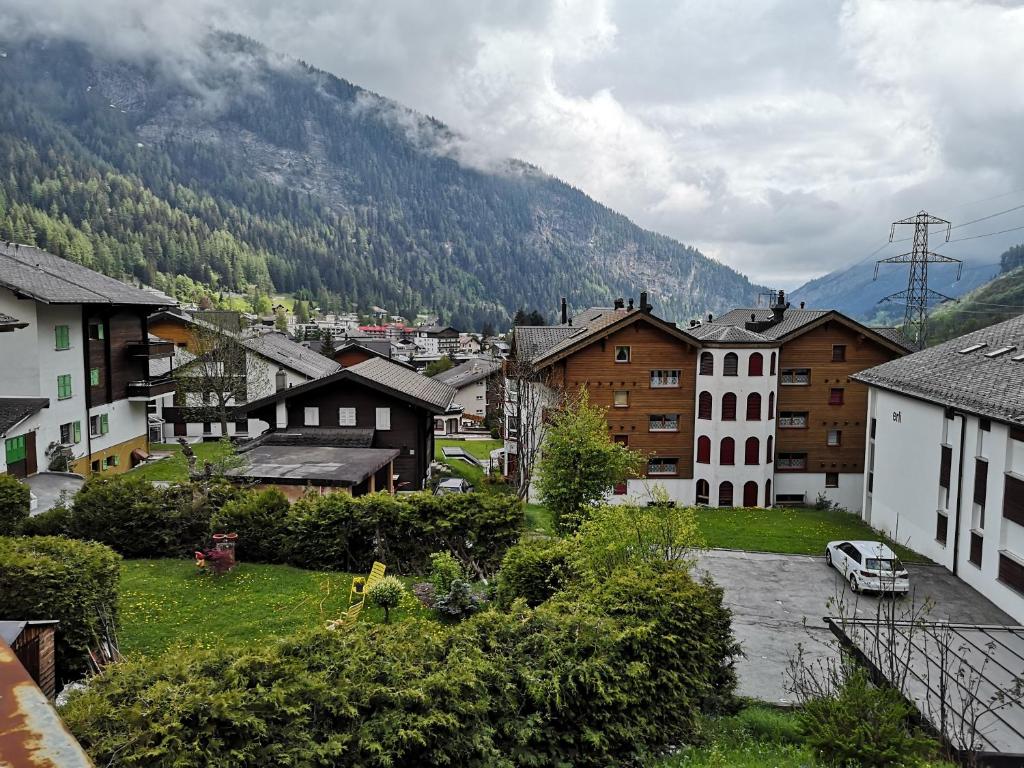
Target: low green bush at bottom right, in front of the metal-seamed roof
[(863, 726)]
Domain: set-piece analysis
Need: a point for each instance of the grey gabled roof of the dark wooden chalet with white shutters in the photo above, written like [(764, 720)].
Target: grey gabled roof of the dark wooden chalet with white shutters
[(377, 373)]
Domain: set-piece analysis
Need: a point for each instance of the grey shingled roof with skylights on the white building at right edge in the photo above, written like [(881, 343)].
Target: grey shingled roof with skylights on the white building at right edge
[(974, 381)]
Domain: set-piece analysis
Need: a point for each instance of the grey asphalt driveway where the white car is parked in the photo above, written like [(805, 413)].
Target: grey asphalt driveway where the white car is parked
[(772, 596)]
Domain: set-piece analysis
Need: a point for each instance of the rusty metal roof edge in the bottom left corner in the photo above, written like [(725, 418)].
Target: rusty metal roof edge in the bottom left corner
[(32, 735)]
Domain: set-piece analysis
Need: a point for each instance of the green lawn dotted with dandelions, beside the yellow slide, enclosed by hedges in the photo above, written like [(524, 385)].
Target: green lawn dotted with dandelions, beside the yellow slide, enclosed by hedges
[(168, 605)]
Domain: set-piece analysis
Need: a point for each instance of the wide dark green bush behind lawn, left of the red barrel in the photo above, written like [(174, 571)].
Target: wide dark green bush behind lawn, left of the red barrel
[(139, 520)]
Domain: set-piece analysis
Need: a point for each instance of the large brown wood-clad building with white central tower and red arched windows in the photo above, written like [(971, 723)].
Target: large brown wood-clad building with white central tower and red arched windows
[(754, 409)]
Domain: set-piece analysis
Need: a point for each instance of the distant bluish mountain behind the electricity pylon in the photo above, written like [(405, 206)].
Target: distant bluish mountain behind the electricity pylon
[(857, 293)]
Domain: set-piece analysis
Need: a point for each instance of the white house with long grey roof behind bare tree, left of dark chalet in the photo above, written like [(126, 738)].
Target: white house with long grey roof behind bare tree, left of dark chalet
[(272, 362)]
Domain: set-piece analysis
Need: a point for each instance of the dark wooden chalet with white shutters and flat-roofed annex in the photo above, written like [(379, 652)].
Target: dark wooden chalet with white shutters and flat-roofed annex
[(365, 429)]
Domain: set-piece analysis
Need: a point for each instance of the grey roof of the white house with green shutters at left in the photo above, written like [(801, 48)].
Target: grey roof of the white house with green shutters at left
[(52, 280)]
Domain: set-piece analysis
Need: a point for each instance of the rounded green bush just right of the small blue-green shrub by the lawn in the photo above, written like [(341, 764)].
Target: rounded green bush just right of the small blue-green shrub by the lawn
[(534, 570)]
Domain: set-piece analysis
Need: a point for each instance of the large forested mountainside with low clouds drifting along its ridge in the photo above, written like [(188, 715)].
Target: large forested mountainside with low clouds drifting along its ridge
[(240, 168)]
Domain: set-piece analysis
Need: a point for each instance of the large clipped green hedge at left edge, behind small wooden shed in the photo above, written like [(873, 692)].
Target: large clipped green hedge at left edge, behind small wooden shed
[(73, 582)]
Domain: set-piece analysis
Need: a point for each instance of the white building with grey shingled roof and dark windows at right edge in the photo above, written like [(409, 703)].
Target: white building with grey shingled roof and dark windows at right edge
[(946, 457)]
